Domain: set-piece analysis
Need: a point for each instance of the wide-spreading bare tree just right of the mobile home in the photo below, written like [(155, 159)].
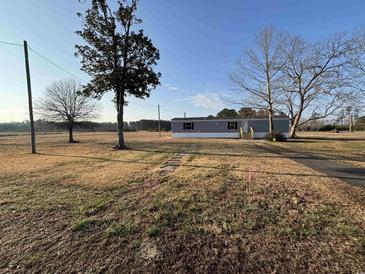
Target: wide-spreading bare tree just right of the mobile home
[(316, 78)]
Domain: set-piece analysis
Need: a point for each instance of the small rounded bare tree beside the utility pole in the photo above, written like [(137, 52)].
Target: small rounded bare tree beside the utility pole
[(62, 102)]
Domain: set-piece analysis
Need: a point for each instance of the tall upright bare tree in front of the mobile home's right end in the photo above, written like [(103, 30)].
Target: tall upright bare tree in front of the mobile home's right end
[(259, 72)]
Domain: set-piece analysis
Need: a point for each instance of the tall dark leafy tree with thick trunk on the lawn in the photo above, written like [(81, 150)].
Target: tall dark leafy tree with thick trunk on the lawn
[(116, 56)]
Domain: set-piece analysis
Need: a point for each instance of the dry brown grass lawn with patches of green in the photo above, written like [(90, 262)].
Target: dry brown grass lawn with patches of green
[(86, 207)]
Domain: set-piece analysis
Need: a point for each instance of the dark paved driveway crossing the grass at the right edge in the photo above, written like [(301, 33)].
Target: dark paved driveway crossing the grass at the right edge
[(351, 175)]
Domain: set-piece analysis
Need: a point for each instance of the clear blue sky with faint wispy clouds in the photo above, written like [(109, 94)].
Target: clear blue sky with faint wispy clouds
[(199, 43)]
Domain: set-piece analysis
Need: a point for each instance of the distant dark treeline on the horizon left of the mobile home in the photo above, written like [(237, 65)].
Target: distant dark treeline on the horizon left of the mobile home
[(46, 126)]
